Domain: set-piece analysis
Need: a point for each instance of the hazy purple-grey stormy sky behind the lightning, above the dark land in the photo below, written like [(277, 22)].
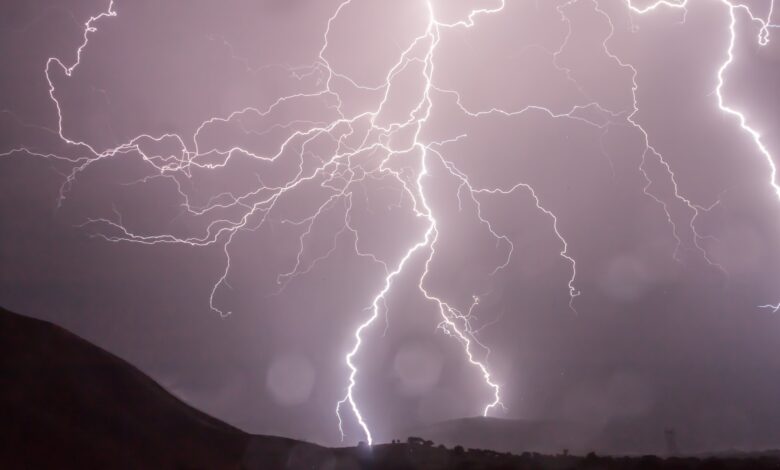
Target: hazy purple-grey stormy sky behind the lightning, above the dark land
[(295, 156)]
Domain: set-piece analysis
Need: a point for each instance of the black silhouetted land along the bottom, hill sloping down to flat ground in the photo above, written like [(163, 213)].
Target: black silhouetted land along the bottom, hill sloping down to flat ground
[(65, 403)]
